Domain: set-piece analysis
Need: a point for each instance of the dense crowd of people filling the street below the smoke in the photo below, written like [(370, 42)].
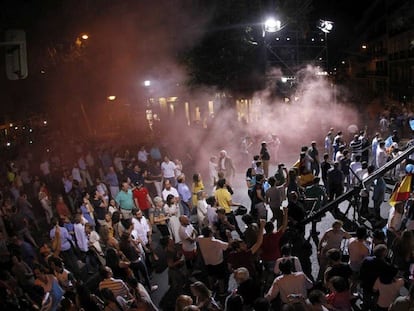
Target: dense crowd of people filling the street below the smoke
[(89, 232)]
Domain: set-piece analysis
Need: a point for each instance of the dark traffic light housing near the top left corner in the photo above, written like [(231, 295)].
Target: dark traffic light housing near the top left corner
[(16, 55)]
